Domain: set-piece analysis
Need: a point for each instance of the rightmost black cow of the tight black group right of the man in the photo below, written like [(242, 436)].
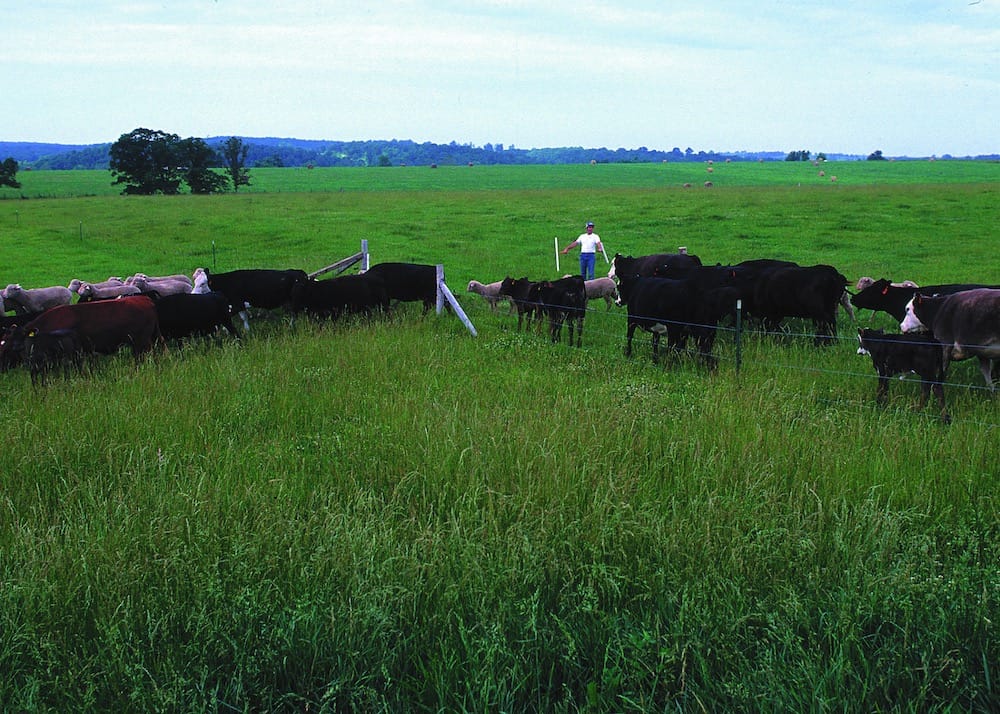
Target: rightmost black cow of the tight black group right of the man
[(812, 292)]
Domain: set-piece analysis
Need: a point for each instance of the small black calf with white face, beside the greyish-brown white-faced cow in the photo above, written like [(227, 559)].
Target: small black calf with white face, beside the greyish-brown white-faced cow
[(901, 354)]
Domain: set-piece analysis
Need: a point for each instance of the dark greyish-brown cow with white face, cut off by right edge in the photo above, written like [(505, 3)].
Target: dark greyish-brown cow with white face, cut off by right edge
[(967, 324)]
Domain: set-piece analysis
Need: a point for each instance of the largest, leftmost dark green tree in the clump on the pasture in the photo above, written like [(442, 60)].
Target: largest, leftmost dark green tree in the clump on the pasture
[(145, 161)]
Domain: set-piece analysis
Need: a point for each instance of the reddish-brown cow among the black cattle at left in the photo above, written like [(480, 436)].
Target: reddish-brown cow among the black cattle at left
[(104, 326)]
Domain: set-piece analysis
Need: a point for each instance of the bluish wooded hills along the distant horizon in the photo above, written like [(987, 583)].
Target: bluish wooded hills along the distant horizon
[(272, 151)]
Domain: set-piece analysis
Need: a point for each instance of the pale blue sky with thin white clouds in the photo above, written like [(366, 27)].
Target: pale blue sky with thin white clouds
[(918, 78)]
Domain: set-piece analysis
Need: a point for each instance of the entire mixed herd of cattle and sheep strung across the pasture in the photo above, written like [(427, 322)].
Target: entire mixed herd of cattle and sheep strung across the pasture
[(670, 294)]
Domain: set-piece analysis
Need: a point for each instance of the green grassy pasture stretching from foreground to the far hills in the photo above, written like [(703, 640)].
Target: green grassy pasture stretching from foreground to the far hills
[(398, 516)]
